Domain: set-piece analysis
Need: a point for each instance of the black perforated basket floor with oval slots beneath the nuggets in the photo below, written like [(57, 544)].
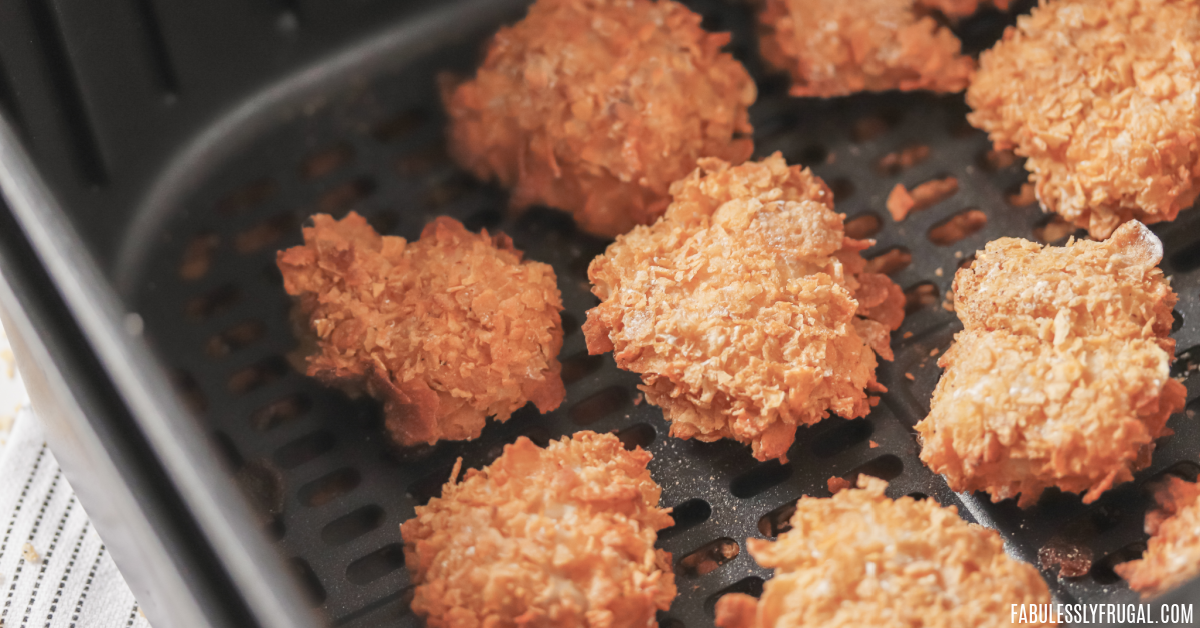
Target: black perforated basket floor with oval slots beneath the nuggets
[(215, 309)]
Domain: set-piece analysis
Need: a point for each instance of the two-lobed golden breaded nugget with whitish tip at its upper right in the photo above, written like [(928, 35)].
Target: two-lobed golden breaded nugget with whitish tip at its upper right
[(1061, 375)]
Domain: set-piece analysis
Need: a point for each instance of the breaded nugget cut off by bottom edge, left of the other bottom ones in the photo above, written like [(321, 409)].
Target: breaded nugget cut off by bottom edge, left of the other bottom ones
[(559, 537)]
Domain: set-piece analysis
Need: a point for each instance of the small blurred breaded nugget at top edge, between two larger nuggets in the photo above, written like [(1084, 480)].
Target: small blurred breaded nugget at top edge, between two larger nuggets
[(839, 47)]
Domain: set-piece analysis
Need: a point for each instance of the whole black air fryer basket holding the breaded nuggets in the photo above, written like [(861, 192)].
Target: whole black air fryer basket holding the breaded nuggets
[(157, 154)]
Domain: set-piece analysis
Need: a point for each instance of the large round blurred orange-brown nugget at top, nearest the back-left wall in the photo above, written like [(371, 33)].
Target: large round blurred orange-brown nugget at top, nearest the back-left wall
[(597, 106)]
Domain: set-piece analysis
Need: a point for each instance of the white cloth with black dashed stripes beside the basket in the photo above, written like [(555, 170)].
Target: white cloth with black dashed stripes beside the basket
[(55, 571)]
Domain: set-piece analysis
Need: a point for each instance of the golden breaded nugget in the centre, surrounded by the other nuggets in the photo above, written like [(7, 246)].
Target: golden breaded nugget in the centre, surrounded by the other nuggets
[(746, 308)]
